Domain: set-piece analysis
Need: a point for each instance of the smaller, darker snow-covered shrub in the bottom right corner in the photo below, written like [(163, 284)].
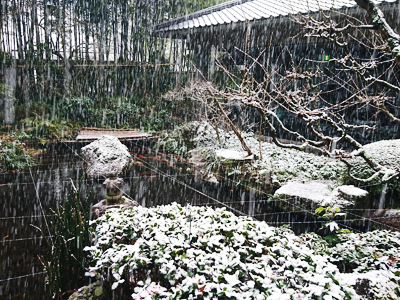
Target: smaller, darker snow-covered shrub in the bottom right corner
[(373, 257)]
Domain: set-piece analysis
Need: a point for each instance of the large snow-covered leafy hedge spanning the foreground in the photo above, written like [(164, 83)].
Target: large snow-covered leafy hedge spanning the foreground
[(174, 252)]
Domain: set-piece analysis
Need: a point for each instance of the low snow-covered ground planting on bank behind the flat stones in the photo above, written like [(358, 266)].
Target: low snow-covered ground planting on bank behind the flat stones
[(281, 165)]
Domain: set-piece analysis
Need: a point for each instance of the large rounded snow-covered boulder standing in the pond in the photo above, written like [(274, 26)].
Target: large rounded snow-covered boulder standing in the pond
[(106, 157)]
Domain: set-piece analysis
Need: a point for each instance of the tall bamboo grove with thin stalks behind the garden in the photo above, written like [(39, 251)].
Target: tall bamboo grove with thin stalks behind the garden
[(57, 49)]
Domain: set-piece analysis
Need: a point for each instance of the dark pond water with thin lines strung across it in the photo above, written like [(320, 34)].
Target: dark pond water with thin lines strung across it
[(27, 197)]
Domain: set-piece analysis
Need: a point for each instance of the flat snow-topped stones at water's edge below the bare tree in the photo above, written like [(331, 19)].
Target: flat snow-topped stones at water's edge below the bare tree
[(321, 193)]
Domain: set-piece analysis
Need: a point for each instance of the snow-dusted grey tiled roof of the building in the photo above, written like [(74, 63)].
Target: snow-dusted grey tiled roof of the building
[(248, 10)]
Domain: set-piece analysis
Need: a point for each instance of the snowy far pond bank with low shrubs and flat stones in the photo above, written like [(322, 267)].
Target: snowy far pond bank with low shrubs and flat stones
[(218, 157)]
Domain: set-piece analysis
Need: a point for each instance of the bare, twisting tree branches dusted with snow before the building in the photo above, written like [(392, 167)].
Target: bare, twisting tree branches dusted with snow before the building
[(299, 93)]
